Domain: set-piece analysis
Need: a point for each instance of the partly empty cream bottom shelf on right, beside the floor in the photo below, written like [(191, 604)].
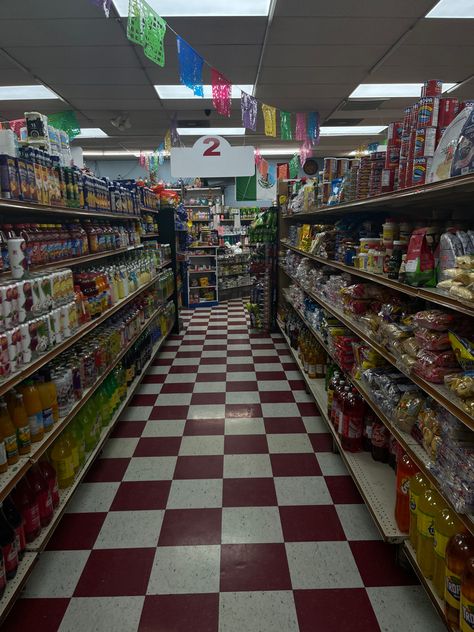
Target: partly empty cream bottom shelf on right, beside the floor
[(375, 481)]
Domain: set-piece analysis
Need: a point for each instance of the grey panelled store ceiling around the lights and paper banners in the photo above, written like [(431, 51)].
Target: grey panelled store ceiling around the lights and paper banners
[(315, 54)]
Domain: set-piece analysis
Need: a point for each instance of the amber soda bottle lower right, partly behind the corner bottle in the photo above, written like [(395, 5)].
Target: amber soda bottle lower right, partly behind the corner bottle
[(458, 551)]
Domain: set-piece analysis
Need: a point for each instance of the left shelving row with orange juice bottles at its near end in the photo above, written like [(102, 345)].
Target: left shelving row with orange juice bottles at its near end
[(33, 407)]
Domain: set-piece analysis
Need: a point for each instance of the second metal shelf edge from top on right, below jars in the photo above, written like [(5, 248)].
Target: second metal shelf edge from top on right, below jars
[(434, 295)]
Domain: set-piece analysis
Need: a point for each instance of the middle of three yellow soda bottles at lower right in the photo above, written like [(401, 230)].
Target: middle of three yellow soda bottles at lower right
[(429, 504)]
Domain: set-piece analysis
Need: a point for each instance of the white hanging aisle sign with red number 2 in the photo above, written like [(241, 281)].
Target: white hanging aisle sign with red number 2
[(212, 157)]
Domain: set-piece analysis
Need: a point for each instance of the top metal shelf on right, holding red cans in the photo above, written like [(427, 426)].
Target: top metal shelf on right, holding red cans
[(451, 193)]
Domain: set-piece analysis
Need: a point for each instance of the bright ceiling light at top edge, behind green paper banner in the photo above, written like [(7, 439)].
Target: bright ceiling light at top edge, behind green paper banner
[(202, 8)]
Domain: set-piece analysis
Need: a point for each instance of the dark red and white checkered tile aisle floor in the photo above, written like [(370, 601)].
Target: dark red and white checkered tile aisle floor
[(217, 505)]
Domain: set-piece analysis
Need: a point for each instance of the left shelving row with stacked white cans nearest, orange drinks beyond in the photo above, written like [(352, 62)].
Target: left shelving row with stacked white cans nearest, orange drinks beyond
[(38, 314)]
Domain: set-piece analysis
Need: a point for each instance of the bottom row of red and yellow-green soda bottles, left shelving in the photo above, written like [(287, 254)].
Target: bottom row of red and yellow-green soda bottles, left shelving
[(30, 507)]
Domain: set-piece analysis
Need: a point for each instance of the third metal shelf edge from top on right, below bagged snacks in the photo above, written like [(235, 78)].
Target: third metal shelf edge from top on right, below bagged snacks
[(437, 392)]
